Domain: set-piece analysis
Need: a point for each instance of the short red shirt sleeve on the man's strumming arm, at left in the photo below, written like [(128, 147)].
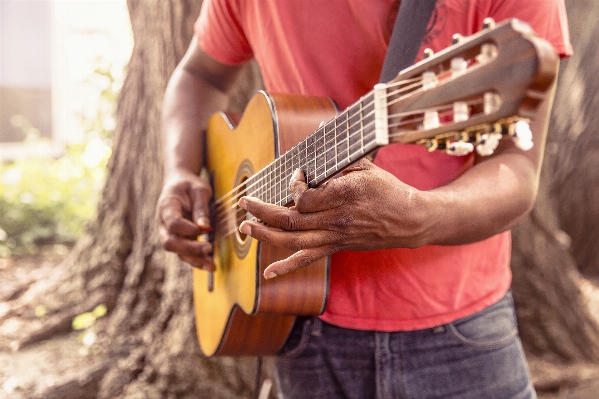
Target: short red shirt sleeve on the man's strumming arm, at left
[(220, 33)]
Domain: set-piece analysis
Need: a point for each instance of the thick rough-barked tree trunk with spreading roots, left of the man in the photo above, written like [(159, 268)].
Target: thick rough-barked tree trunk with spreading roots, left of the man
[(150, 333)]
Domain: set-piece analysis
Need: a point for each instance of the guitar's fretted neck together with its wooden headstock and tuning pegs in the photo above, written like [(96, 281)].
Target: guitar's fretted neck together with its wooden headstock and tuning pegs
[(450, 101)]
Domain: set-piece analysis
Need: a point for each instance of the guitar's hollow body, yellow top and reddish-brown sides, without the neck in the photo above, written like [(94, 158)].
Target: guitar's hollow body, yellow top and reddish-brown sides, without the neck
[(237, 311)]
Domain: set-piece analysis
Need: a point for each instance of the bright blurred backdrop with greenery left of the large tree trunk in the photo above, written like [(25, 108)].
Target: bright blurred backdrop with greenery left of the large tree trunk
[(62, 64)]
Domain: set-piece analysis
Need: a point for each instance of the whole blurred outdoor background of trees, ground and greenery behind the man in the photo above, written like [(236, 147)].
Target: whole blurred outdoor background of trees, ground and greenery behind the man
[(91, 306)]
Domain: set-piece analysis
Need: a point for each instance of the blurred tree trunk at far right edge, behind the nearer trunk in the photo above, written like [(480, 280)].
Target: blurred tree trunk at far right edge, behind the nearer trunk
[(576, 151)]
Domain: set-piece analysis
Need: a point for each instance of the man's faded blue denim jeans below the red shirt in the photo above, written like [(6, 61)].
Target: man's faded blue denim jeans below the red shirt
[(477, 357)]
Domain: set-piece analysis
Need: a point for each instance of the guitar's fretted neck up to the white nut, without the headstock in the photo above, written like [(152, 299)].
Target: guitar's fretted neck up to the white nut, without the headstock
[(352, 134)]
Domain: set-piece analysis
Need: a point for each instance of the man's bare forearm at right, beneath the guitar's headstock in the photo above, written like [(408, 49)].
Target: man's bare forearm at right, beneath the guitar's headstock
[(492, 196)]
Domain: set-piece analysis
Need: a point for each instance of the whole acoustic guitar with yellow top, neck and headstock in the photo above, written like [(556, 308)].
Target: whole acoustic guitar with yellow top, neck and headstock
[(462, 99)]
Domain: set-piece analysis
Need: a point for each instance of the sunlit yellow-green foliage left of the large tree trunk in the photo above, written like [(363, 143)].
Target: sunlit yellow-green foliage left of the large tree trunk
[(49, 201)]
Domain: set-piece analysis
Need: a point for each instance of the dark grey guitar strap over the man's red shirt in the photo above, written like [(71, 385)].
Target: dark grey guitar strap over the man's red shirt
[(409, 30)]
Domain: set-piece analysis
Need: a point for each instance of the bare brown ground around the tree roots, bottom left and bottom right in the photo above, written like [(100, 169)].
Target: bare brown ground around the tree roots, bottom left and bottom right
[(68, 365)]
